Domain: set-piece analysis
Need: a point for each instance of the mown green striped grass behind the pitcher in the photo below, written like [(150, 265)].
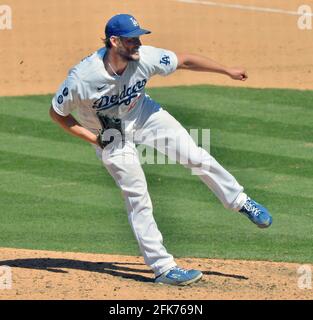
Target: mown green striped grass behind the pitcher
[(55, 194)]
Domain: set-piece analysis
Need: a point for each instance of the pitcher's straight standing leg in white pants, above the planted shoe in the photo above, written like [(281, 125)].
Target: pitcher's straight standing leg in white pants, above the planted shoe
[(127, 172)]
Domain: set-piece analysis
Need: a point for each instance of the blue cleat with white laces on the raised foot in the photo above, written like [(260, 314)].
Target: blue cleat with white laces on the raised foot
[(256, 213)]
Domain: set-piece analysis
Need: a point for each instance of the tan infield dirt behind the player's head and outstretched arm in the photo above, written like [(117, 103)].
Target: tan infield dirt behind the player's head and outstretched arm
[(49, 37)]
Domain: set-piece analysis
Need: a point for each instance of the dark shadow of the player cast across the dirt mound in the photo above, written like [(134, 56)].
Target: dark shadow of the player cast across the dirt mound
[(117, 269)]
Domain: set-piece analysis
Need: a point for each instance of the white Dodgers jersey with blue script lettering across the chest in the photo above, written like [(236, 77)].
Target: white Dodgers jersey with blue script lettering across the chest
[(89, 87)]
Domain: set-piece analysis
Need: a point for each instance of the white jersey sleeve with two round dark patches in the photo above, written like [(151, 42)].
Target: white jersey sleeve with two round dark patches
[(67, 97)]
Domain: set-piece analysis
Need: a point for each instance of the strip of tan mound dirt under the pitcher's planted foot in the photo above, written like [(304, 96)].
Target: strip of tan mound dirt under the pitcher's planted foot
[(66, 275)]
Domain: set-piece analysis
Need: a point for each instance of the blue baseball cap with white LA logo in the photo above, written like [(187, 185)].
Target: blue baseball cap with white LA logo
[(124, 25)]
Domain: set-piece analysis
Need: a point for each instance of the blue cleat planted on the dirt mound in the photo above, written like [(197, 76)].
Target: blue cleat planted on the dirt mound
[(179, 277)]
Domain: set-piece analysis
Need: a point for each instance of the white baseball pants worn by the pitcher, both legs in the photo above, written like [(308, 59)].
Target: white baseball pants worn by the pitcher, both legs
[(123, 164)]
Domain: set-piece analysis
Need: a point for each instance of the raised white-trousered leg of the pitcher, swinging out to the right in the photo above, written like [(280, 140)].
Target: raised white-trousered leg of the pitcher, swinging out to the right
[(161, 126)]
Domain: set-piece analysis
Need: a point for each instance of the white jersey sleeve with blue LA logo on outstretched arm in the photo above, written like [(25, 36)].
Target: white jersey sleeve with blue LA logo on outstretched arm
[(161, 61)]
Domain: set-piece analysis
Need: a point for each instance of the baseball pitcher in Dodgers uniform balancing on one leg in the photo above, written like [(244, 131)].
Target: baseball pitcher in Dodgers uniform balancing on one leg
[(107, 89)]
